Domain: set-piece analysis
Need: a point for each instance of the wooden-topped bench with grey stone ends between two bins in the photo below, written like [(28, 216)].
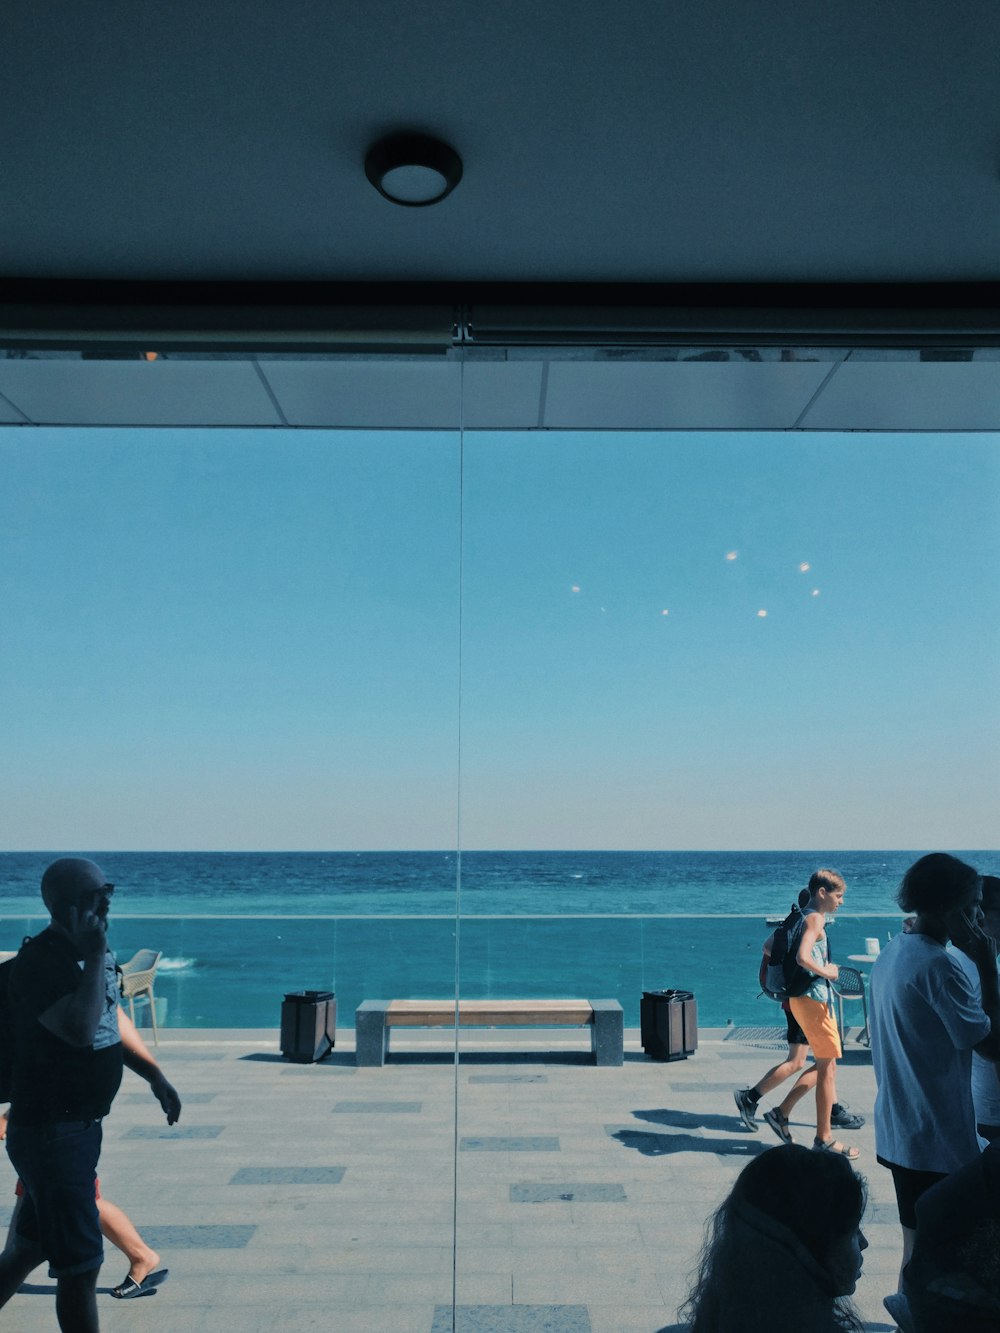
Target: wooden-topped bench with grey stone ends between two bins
[(374, 1019)]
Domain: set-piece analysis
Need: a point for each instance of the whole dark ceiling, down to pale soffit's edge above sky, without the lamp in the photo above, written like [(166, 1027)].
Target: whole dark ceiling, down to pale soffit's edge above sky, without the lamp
[(814, 193)]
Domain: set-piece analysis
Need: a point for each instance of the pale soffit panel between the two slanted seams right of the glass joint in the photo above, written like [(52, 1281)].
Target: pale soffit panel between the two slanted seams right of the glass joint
[(681, 395)]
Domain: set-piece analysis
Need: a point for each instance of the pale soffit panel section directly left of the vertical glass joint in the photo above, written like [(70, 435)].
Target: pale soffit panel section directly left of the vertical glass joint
[(419, 395)]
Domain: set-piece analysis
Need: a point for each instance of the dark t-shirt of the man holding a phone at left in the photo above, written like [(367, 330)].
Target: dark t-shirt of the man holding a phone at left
[(53, 1080)]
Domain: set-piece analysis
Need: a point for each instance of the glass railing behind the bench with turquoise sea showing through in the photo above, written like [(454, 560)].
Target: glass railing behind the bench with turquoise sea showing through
[(233, 972)]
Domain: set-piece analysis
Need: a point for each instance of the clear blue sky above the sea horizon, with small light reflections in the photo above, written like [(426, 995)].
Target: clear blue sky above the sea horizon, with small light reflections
[(222, 639)]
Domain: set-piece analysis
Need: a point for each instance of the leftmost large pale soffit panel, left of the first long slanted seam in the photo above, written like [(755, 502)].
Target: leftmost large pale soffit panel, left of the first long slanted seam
[(66, 393)]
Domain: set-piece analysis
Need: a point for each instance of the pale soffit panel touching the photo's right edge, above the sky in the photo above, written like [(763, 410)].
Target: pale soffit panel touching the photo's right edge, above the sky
[(910, 397)]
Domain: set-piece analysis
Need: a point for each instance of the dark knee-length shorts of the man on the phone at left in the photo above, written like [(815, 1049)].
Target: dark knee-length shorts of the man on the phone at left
[(58, 1216)]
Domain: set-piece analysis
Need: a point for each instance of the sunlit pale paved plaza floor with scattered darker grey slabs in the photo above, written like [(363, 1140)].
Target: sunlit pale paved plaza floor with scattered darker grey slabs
[(323, 1196)]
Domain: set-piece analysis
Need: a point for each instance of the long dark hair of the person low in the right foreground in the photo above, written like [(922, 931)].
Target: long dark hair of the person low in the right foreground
[(819, 1200)]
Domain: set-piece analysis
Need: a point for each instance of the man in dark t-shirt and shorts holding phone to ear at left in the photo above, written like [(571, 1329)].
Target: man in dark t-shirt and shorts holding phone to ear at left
[(67, 1070)]
